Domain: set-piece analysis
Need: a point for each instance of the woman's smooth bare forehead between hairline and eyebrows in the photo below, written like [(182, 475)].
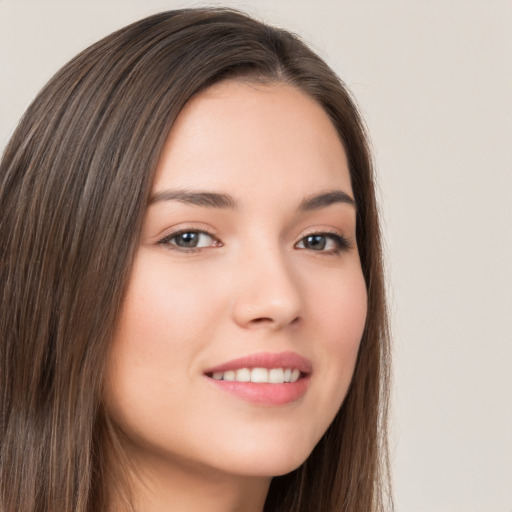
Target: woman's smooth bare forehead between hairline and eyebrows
[(242, 135)]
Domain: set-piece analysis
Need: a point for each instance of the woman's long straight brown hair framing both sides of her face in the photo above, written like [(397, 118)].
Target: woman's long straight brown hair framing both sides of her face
[(74, 185)]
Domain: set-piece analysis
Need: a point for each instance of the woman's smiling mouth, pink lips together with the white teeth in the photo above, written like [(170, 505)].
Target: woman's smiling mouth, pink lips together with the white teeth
[(264, 378)]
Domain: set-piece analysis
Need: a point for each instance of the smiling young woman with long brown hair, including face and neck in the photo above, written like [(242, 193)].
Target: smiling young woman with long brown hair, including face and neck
[(192, 312)]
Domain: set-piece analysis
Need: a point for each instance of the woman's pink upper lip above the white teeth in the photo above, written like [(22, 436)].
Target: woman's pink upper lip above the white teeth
[(266, 360)]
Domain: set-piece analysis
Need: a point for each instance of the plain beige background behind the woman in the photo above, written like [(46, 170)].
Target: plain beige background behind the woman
[(434, 81)]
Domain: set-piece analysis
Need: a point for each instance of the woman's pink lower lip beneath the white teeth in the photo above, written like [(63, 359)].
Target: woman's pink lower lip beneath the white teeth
[(264, 393)]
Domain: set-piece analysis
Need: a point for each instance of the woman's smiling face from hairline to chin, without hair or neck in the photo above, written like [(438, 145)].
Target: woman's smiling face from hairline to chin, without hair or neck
[(247, 269)]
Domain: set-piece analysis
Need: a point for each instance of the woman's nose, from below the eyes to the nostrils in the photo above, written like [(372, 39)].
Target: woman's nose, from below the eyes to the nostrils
[(268, 294)]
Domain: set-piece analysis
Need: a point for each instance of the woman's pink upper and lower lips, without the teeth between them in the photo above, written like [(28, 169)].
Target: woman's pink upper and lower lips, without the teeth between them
[(265, 393)]
